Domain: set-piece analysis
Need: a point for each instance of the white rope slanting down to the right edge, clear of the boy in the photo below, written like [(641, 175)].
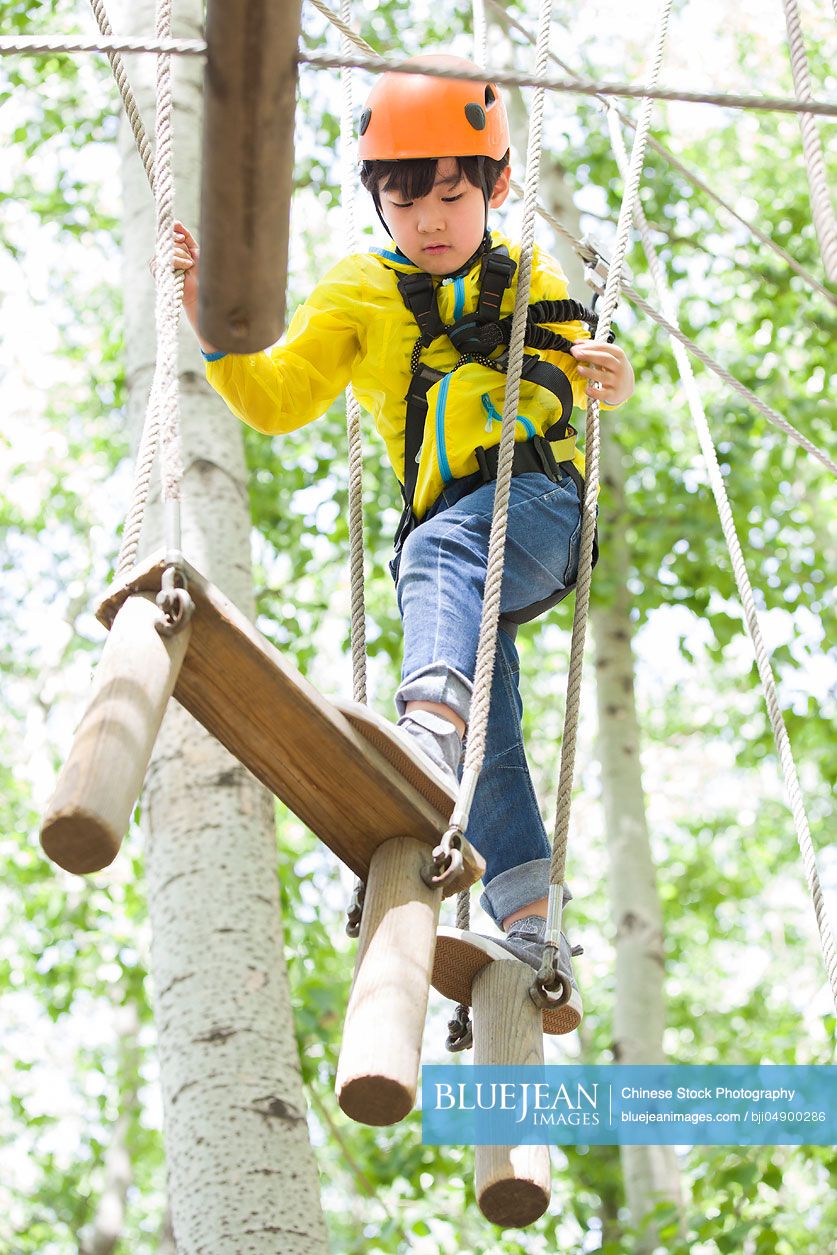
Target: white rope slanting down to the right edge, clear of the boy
[(742, 578)]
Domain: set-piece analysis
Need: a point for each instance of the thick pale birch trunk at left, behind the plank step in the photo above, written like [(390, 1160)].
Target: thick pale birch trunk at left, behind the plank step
[(242, 1173)]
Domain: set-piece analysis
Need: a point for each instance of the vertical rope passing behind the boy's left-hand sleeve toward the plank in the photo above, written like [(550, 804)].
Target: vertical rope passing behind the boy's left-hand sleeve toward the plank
[(353, 409)]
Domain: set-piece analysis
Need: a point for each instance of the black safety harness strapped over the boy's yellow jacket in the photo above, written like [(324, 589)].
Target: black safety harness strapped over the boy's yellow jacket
[(475, 337)]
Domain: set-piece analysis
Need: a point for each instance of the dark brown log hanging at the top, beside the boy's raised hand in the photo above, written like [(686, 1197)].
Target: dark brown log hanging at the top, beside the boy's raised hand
[(250, 104)]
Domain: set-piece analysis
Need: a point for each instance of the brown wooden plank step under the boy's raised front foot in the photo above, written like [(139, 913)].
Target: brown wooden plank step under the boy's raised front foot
[(342, 769)]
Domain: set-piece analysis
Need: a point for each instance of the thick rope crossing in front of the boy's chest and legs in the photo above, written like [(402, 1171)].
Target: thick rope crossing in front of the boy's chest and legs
[(489, 627)]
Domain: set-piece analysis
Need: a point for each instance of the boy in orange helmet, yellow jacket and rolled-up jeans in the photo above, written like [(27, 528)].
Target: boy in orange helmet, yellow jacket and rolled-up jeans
[(427, 319)]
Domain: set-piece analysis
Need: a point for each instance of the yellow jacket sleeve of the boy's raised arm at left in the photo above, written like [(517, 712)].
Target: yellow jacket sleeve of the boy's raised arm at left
[(294, 382)]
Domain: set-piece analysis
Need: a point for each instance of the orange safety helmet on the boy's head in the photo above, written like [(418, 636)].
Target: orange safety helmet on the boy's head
[(422, 116)]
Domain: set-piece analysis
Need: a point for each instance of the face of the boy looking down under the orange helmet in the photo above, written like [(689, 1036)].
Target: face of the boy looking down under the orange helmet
[(440, 232)]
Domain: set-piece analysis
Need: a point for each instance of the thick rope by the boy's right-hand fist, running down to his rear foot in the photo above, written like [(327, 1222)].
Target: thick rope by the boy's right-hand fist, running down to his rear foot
[(592, 475)]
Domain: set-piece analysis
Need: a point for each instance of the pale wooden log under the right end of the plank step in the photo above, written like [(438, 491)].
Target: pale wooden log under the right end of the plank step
[(382, 1039)]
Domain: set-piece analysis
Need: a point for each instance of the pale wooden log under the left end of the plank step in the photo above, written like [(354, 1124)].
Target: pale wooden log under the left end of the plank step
[(97, 791)]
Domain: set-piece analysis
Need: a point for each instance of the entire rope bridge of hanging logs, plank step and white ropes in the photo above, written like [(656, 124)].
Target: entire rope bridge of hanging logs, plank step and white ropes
[(398, 828)]
